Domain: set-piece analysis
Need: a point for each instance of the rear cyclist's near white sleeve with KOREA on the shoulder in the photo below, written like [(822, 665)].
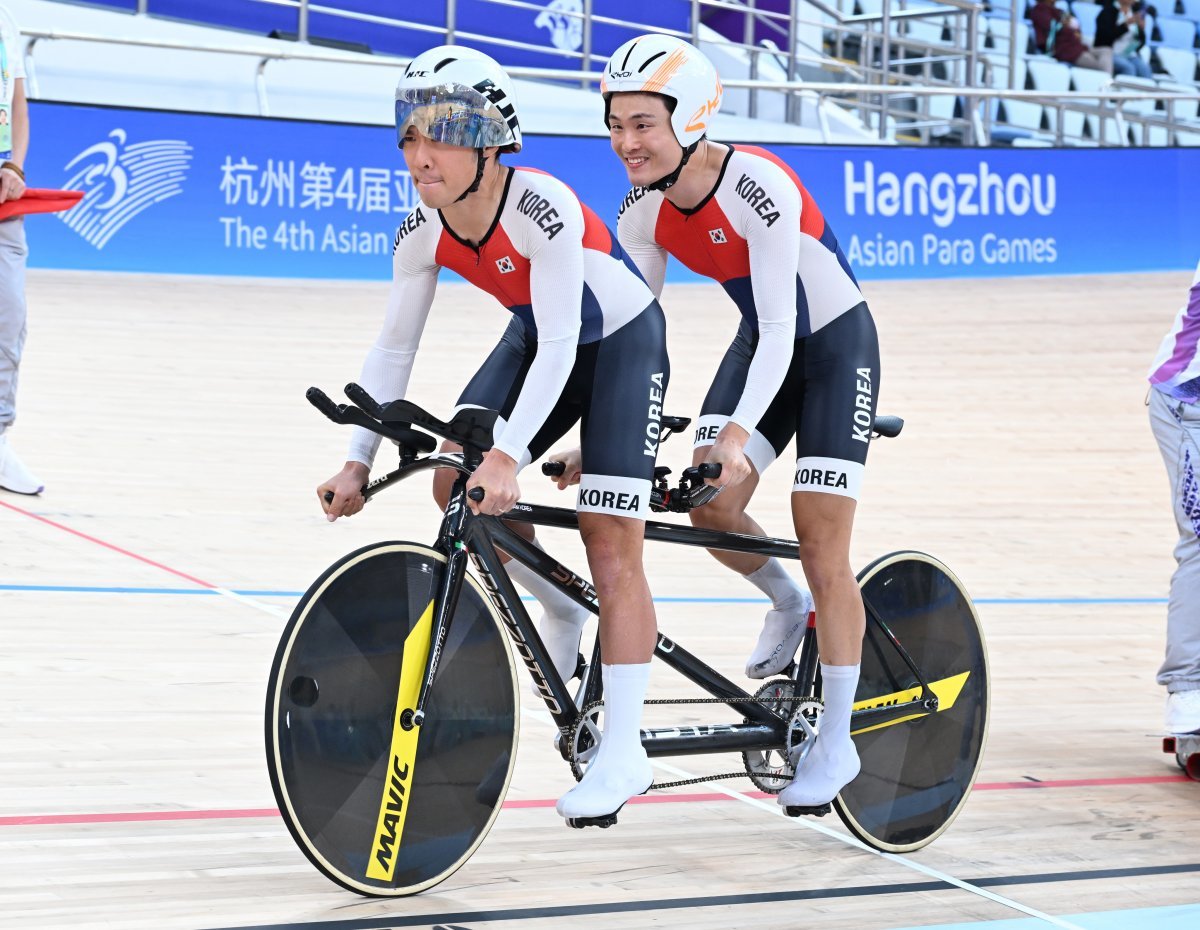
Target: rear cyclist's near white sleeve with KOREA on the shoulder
[(775, 257)]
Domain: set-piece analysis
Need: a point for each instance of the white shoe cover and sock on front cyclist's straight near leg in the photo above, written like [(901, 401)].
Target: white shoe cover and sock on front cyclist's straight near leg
[(621, 769)]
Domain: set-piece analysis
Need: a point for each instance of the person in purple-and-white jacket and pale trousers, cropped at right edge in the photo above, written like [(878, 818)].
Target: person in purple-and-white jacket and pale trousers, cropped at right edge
[(1175, 419)]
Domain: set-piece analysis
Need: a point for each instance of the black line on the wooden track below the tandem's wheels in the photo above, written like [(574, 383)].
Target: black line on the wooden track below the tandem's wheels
[(681, 904)]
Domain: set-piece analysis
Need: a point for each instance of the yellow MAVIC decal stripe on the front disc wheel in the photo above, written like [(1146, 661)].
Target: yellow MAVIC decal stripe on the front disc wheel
[(394, 807)]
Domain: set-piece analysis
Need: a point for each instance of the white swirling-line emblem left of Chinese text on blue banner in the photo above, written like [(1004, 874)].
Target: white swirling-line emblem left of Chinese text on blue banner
[(121, 182)]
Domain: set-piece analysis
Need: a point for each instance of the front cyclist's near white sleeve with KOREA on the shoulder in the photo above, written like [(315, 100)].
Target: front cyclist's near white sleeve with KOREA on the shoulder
[(556, 291)]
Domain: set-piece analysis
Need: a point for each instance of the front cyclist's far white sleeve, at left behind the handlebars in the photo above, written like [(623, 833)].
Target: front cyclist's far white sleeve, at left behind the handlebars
[(389, 364)]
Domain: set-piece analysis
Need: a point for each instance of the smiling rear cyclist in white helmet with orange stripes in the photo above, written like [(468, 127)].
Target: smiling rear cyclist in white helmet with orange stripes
[(805, 363)]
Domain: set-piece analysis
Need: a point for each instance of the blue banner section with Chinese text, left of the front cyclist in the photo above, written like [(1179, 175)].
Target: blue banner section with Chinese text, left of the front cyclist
[(200, 194)]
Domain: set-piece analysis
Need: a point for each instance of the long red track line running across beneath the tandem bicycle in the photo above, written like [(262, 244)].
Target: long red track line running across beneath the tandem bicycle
[(200, 815)]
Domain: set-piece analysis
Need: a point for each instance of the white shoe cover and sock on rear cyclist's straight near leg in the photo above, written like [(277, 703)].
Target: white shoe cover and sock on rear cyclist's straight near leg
[(833, 761)]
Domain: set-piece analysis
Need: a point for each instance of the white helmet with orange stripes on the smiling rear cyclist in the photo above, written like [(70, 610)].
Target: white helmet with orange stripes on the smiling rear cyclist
[(657, 64)]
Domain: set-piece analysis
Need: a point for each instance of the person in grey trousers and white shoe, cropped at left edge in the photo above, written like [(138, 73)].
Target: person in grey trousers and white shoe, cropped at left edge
[(14, 146)]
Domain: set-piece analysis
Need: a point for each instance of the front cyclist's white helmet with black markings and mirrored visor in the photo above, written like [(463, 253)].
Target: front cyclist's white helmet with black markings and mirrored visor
[(459, 97)]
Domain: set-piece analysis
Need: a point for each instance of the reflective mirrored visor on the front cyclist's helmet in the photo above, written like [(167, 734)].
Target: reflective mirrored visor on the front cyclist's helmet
[(452, 113)]
